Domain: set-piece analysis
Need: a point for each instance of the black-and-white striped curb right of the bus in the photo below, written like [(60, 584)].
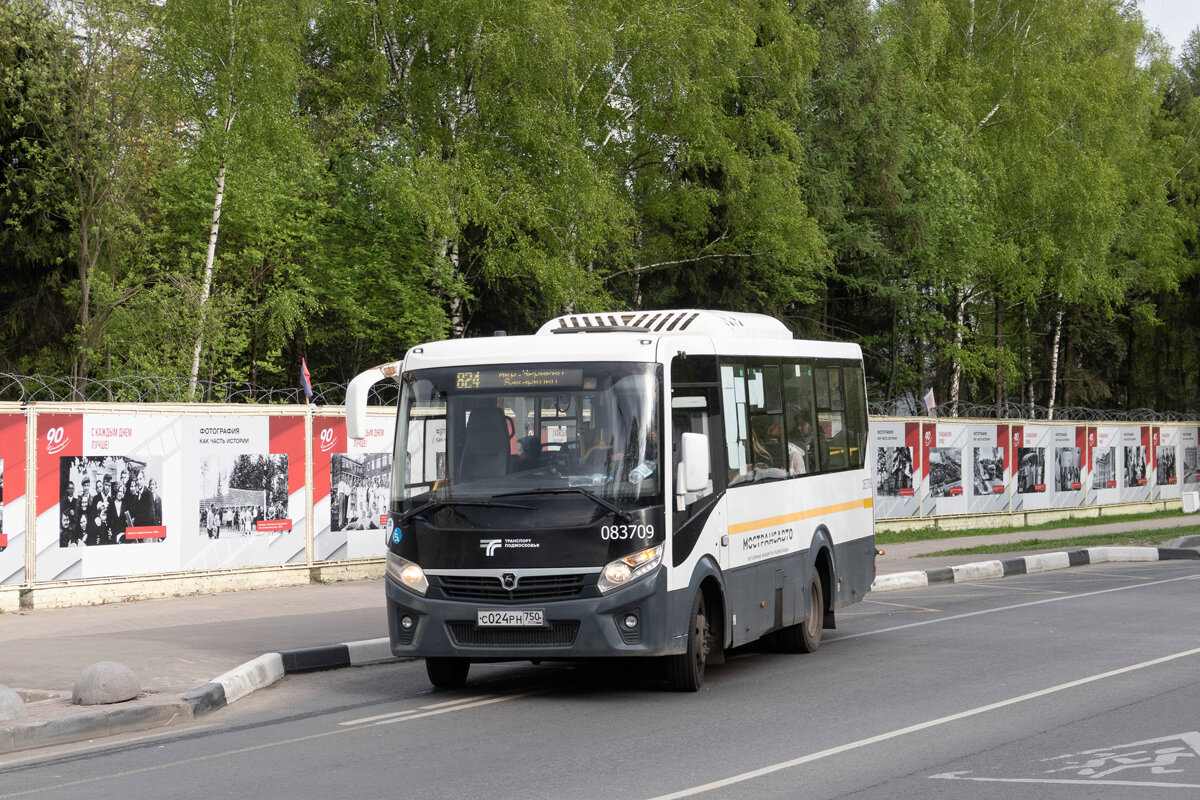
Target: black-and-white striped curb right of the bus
[(1029, 564)]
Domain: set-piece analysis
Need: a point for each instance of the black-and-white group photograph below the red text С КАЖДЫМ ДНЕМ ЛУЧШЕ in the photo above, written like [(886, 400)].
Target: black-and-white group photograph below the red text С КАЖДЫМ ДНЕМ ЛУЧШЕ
[(104, 497)]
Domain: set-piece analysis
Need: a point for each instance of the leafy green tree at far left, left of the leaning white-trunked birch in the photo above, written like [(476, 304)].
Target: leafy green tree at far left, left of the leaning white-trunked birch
[(83, 105)]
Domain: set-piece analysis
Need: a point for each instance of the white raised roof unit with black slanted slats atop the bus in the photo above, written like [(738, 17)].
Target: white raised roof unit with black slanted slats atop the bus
[(661, 323)]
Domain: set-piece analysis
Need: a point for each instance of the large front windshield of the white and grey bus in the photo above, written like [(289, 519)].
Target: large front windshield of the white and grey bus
[(471, 435)]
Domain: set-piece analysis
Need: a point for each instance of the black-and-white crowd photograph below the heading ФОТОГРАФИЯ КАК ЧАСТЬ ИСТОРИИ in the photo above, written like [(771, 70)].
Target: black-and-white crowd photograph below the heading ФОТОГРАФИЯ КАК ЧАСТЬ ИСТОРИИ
[(243, 495)]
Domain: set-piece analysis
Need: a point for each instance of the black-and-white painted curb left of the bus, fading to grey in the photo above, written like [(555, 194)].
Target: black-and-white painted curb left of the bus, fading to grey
[(219, 693)]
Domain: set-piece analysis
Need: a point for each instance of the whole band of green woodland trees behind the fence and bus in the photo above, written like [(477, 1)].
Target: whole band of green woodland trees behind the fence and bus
[(1000, 200)]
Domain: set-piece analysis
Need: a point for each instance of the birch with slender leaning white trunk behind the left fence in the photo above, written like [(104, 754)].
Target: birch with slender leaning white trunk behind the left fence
[(233, 69)]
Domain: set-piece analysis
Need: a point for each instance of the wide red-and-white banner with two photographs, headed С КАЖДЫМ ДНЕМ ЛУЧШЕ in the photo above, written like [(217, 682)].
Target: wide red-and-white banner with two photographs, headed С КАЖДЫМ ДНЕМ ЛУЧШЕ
[(124, 495)]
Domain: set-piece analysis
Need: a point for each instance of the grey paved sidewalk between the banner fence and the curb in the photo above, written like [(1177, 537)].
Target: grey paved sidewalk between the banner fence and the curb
[(179, 646)]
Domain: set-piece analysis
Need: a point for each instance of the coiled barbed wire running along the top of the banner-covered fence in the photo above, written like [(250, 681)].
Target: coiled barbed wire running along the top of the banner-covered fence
[(147, 389)]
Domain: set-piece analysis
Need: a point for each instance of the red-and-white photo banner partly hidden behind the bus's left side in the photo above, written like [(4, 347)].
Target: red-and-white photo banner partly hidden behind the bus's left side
[(352, 484)]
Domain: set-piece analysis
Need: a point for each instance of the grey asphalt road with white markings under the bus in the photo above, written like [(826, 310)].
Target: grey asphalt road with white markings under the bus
[(1065, 685)]
